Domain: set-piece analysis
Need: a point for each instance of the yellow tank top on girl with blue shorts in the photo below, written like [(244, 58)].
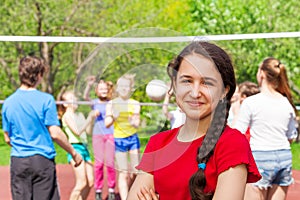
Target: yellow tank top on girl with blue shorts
[(122, 127)]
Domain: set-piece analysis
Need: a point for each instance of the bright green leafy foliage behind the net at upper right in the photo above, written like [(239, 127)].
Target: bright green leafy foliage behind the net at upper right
[(212, 17)]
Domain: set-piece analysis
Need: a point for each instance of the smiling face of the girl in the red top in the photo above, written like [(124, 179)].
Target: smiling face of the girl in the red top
[(198, 87)]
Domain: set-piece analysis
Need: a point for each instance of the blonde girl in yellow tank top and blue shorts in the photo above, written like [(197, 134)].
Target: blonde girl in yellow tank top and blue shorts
[(124, 113)]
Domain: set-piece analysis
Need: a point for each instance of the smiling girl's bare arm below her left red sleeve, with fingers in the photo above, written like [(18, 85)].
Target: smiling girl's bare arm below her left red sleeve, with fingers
[(142, 188)]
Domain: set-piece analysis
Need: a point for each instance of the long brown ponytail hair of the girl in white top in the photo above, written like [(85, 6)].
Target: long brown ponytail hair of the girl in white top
[(276, 76)]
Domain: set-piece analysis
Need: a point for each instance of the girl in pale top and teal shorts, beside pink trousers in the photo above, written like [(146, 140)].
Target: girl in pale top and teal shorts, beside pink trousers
[(75, 126)]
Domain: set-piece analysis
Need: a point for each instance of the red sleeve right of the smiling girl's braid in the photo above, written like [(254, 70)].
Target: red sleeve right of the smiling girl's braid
[(234, 149)]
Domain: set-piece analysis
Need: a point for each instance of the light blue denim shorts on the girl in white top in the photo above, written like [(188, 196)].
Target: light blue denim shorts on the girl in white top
[(275, 167)]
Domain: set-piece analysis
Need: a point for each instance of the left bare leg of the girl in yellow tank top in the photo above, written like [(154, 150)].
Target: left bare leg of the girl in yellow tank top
[(122, 166)]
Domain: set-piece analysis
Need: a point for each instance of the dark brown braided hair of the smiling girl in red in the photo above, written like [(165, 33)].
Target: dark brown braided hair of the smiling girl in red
[(224, 65)]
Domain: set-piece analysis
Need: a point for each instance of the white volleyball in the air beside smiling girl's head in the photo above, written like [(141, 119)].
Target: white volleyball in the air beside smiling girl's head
[(156, 90)]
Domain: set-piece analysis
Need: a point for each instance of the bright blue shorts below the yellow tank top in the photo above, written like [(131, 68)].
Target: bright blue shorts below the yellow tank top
[(129, 143)]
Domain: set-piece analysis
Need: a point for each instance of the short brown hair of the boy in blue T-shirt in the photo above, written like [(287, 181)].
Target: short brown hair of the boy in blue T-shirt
[(30, 68)]
